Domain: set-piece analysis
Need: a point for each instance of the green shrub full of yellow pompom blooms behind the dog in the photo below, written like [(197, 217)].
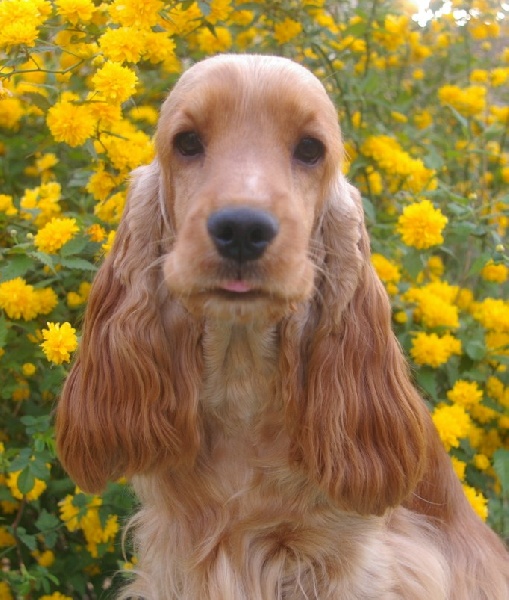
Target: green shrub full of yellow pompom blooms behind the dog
[(425, 119)]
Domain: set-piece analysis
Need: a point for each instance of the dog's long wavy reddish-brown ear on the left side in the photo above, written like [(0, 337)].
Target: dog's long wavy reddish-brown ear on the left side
[(127, 406)]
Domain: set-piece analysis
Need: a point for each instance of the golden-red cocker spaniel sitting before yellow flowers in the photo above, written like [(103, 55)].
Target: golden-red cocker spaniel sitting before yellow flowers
[(238, 364)]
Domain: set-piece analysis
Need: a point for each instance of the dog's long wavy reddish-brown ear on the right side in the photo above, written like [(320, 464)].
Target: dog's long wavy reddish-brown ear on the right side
[(356, 422)]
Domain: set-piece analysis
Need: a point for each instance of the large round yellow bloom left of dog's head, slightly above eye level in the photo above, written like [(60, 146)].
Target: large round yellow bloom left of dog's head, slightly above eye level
[(71, 123)]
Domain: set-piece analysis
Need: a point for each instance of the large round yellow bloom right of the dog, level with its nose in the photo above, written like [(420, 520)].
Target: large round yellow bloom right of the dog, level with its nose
[(421, 225)]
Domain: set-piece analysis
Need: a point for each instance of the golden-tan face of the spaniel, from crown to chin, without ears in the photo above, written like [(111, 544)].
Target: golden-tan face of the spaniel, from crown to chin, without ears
[(249, 152)]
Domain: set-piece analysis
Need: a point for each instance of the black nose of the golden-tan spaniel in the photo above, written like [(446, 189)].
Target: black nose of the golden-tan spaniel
[(242, 233)]
